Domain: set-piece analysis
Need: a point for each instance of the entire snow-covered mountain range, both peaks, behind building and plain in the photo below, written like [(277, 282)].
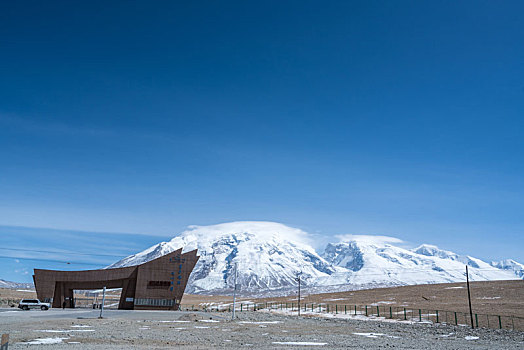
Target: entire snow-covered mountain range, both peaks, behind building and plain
[(269, 256)]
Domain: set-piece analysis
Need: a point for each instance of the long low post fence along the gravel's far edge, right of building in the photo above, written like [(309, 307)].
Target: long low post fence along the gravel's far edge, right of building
[(384, 311)]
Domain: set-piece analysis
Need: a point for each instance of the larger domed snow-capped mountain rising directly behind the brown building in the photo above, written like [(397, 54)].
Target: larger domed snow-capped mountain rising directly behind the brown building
[(268, 255)]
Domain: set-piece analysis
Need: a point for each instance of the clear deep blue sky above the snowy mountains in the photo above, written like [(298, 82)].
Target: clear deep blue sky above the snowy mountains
[(372, 117)]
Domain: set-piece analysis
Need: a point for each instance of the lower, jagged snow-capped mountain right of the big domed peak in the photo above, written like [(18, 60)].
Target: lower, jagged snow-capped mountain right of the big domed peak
[(376, 260)]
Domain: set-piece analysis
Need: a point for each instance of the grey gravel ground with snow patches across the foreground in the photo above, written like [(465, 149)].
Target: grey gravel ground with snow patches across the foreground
[(81, 329)]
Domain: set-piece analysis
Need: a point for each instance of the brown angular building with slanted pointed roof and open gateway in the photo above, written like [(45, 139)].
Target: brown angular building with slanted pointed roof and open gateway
[(155, 285)]
